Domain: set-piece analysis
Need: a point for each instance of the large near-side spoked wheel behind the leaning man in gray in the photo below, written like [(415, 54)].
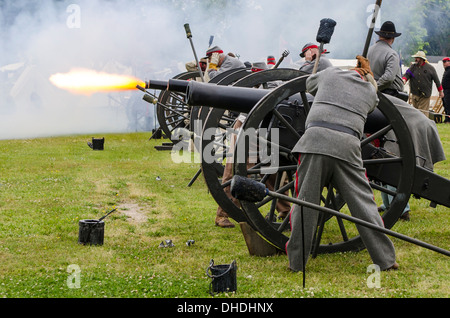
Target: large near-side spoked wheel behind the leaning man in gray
[(338, 235)]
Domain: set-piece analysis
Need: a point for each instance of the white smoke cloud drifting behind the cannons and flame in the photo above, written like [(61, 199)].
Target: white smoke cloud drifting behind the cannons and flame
[(145, 39)]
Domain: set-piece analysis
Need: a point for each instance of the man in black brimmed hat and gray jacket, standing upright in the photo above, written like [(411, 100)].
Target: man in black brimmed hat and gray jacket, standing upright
[(385, 62)]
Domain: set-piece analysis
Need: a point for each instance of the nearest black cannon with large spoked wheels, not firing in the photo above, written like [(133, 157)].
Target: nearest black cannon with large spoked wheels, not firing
[(286, 108)]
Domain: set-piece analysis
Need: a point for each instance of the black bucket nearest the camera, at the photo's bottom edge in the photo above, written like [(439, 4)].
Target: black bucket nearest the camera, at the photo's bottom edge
[(223, 277)]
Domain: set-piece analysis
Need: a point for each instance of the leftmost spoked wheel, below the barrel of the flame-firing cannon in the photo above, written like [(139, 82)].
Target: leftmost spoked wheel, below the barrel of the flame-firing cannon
[(172, 110)]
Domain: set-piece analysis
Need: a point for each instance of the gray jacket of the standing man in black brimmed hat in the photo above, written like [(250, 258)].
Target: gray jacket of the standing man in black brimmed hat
[(385, 65)]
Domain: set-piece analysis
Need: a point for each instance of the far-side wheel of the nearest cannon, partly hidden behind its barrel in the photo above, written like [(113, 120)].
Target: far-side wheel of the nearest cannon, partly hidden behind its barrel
[(217, 133)]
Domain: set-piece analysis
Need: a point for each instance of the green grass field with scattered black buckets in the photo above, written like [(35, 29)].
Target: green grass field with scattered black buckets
[(48, 185)]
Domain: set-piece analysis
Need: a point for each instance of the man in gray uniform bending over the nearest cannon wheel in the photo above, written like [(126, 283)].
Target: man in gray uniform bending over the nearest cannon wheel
[(330, 153)]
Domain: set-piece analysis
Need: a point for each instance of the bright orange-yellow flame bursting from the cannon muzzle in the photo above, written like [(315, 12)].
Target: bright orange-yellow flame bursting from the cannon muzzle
[(88, 82)]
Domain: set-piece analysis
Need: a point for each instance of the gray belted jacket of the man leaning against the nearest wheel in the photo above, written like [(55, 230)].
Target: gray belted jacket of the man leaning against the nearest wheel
[(342, 98)]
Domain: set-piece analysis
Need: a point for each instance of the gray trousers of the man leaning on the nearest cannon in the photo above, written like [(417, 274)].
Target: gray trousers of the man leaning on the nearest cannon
[(313, 173)]
